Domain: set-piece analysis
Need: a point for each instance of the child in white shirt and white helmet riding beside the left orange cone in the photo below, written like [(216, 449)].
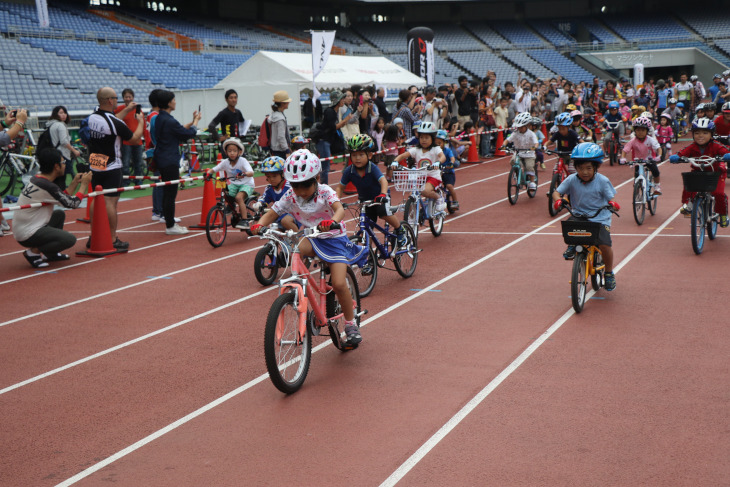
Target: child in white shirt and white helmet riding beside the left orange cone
[(240, 176)]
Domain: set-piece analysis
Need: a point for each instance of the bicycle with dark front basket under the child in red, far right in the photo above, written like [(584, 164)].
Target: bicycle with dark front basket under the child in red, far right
[(702, 183)]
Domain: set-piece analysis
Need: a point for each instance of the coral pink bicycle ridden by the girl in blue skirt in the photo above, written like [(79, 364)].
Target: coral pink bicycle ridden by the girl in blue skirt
[(305, 306)]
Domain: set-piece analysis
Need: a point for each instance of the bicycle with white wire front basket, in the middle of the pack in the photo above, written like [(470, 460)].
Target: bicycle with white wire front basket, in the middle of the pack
[(418, 209)]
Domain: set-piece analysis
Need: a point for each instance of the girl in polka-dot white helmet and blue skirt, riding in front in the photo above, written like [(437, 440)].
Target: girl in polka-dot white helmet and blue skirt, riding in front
[(315, 204)]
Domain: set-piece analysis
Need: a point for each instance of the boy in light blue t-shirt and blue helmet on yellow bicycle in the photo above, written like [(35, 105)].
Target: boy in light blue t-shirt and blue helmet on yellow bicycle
[(587, 192)]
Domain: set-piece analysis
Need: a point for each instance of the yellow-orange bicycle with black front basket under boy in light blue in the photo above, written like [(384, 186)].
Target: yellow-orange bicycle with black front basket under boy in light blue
[(588, 261)]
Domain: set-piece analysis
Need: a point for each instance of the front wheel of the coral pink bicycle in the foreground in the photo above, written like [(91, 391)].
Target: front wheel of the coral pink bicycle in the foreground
[(287, 353)]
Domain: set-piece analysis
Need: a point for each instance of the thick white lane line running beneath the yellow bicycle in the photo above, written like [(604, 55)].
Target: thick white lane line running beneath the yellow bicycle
[(454, 421)]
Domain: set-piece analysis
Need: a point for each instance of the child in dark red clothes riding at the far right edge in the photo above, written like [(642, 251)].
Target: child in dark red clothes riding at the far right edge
[(704, 145)]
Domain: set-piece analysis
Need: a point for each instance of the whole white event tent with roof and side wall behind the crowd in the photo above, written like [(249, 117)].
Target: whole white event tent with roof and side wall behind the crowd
[(266, 72)]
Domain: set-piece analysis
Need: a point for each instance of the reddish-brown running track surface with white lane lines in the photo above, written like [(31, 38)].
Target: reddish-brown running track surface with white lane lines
[(633, 391)]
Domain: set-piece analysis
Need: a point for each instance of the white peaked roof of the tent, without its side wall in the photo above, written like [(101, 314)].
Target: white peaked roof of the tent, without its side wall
[(283, 68)]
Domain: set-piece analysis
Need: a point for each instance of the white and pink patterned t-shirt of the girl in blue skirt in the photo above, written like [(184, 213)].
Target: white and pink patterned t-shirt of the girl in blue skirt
[(312, 211)]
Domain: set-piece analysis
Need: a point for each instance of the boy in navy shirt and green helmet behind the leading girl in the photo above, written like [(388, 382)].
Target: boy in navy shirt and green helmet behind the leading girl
[(370, 183)]
